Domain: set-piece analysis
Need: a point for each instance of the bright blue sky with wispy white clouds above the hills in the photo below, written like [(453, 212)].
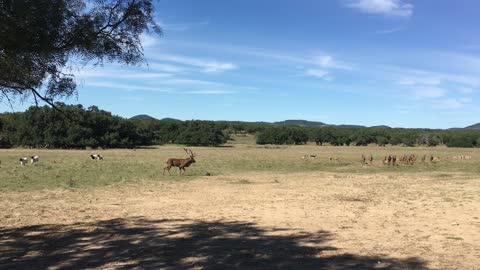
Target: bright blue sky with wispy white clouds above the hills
[(400, 63)]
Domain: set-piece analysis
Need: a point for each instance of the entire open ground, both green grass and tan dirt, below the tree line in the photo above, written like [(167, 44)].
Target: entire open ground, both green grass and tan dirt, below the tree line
[(262, 207)]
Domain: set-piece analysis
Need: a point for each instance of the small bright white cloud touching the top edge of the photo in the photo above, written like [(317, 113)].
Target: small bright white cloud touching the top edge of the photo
[(393, 8)]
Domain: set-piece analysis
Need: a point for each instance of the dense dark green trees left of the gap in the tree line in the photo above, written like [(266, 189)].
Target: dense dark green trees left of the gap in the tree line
[(73, 126)]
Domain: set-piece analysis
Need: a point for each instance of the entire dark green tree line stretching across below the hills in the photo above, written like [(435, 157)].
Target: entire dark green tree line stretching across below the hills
[(73, 126)]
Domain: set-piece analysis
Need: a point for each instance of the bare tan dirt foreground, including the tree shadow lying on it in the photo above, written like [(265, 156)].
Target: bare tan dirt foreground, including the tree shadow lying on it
[(255, 220)]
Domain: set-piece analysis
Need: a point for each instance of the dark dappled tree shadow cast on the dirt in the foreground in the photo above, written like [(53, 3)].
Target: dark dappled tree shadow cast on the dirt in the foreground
[(178, 244)]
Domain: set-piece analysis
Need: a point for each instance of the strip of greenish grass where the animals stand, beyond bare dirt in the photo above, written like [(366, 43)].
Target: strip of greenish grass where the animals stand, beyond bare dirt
[(74, 168)]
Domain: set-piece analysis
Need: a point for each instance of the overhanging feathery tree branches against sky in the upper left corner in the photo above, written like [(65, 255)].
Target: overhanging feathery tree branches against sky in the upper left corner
[(41, 39)]
